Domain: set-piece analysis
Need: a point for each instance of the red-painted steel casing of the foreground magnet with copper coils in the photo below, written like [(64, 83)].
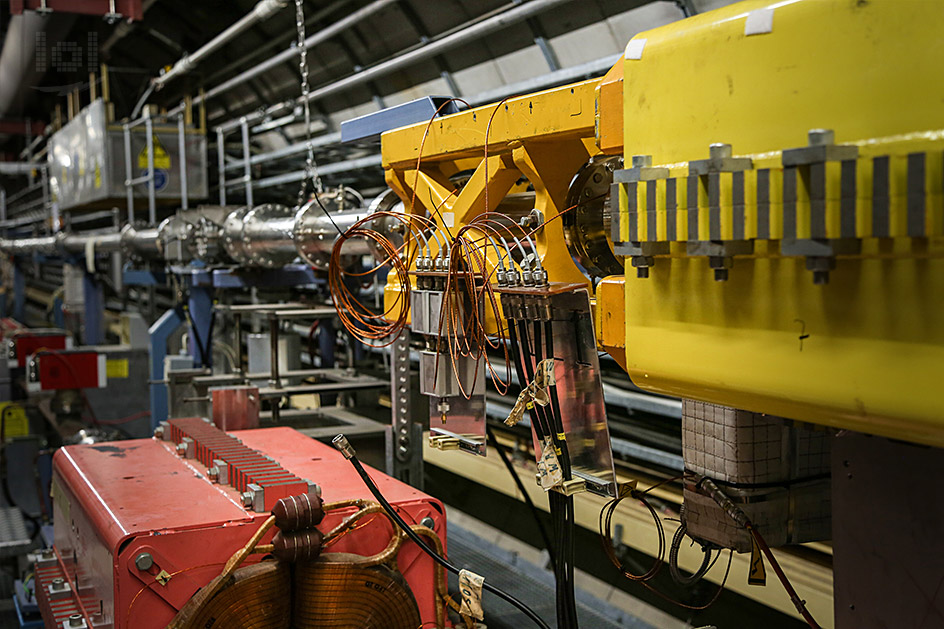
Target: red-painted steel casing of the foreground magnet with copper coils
[(116, 502)]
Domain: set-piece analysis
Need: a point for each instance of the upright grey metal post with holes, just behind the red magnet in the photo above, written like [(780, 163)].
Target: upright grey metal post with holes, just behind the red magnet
[(404, 437)]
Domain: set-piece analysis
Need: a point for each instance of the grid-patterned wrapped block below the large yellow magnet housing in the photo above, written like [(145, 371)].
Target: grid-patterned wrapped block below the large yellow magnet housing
[(758, 459)]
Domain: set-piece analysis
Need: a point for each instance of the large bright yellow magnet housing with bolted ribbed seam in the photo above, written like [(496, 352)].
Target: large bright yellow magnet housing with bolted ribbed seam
[(866, 350)]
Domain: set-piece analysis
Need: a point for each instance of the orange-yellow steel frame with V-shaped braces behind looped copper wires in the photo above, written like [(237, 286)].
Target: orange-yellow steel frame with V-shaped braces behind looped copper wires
[(542, 138)]
